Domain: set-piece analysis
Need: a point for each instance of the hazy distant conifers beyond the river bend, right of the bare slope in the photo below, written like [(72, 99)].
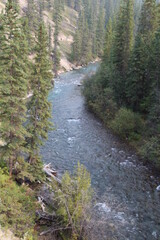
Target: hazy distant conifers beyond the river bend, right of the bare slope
[(89, 36)]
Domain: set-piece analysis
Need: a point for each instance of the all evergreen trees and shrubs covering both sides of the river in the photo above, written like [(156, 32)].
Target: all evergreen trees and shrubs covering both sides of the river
[(124, 93)]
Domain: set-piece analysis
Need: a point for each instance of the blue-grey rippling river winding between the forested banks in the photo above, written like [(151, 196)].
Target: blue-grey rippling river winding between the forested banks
[(126, 190)]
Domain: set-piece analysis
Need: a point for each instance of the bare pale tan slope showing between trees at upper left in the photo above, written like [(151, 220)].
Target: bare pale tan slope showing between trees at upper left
[(68, 27)]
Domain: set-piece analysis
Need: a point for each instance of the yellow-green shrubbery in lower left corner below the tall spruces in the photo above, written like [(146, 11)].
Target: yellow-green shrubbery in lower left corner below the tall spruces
[(17, 206)]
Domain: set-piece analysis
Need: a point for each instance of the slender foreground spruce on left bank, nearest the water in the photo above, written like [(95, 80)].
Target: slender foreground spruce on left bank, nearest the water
[(39, 107)]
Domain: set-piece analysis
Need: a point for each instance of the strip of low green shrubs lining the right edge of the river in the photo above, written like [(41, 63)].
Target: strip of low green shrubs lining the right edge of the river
[(133, 128)]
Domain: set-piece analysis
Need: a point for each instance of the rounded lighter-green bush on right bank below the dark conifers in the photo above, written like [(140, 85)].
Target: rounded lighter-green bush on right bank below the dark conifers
[(127, 124)]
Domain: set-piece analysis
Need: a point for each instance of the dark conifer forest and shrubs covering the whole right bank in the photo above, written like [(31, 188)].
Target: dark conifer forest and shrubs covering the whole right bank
[(125, 93)]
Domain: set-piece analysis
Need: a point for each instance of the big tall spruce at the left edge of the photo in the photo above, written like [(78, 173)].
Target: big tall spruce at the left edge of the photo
[(13, 86)]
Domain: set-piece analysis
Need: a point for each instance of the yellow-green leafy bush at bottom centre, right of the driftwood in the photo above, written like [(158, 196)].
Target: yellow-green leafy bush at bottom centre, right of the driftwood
[(73, 199)]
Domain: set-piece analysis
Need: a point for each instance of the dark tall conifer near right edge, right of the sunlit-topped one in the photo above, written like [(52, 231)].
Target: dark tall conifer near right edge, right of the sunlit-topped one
[(138, 86)]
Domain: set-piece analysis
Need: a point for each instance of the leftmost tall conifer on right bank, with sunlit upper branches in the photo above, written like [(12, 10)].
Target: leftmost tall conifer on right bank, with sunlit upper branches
[(122, 48)]
